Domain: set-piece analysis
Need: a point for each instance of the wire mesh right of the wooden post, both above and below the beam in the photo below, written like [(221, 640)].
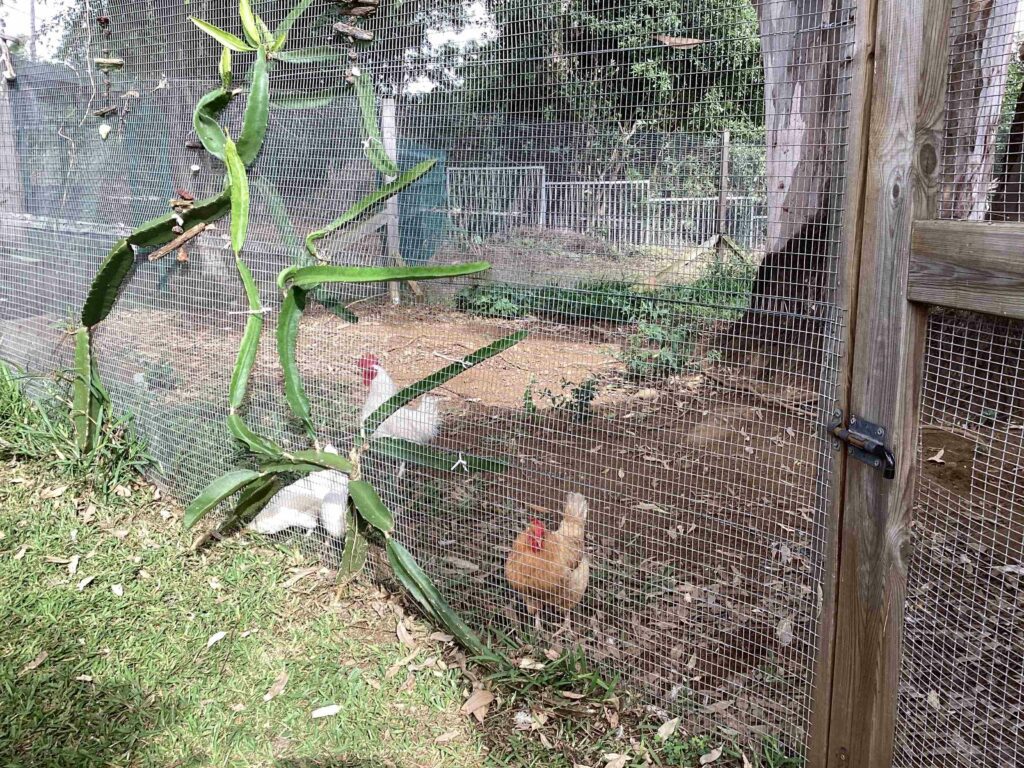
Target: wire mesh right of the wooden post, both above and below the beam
[(962, 685)]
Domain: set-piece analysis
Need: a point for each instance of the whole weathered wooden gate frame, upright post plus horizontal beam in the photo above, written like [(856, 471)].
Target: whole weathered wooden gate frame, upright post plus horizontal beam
[(898, 260)]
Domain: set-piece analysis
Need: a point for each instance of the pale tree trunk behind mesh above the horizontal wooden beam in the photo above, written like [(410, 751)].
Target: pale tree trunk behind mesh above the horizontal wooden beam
[(983, 49)]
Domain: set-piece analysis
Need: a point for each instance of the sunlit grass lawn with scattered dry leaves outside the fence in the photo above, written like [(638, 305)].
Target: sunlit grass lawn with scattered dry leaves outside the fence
[(106, 655)]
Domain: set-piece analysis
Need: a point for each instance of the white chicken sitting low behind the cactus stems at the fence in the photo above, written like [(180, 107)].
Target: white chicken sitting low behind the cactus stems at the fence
[(321, 497)]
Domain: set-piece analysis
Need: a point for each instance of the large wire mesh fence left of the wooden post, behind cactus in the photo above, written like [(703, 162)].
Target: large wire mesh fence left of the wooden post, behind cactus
[(682, 356)]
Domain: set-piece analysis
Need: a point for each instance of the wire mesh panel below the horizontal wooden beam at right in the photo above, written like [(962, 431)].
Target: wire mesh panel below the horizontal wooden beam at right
[(962, 687)]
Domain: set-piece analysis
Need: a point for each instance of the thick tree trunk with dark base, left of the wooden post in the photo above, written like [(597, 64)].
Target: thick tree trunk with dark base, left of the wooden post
[(804, 44)]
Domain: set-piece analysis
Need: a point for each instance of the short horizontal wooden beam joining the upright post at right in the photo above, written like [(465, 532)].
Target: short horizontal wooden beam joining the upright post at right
[(968, 266)]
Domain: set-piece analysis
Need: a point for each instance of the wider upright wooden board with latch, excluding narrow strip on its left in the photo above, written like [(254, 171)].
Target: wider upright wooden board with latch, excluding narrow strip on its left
[(912, 53)]
